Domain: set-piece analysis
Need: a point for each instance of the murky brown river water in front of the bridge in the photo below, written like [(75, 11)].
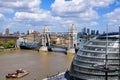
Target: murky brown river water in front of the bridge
[(39, 64)]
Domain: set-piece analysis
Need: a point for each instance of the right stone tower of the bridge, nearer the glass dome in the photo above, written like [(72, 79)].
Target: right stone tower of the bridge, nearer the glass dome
[(72, 34)]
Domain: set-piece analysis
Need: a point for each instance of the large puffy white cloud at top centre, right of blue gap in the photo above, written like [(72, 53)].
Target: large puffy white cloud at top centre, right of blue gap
[(70, 9)]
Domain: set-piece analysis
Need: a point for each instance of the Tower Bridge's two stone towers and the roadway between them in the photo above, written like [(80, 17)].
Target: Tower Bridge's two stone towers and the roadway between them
[(46, 45)]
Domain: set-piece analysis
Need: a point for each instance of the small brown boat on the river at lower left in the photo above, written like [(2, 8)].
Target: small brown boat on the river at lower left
[(18, 74)]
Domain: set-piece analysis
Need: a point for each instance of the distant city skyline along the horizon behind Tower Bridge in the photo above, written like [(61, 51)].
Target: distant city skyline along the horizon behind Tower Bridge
[(84, 31)]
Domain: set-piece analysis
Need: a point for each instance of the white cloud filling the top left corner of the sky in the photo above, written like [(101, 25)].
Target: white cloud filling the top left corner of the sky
[(20, 5)]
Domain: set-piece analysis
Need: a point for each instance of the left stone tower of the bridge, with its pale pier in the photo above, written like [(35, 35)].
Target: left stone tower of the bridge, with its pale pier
[(45, 39)]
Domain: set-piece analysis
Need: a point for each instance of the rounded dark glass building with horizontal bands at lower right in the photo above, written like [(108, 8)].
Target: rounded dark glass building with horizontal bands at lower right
[(97, 59)]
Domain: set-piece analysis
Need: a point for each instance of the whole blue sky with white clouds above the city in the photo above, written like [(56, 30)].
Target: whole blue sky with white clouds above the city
[(59, 15)]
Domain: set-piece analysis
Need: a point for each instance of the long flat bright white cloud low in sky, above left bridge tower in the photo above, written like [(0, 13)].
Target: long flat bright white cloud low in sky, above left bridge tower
[(37, 16)]
